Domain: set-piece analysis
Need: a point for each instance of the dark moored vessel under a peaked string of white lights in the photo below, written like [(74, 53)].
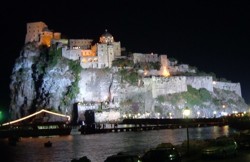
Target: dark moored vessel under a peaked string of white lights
[(41, 123)]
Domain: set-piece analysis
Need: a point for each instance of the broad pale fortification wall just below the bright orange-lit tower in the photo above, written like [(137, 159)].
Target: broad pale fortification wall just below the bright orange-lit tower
[(163, 86)]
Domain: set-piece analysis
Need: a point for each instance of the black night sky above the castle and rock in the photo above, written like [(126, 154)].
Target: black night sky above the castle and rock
[(212, 35)]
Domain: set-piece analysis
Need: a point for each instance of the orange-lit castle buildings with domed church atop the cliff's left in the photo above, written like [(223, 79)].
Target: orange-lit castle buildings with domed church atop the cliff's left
[(99, 55)]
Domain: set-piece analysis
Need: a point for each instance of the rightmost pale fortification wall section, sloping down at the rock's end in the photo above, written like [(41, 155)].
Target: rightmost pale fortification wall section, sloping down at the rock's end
[(235, 87)]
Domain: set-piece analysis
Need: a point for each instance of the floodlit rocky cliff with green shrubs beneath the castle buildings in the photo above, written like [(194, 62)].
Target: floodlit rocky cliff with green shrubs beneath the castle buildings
[(42, 78)]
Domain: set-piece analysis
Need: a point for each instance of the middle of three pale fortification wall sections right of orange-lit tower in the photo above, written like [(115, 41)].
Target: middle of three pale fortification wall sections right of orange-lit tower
[(201, 82)]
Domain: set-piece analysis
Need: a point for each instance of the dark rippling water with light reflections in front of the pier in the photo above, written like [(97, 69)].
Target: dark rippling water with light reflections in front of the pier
[(98, 146)]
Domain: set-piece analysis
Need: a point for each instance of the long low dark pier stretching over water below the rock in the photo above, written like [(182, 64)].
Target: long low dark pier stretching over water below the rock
[(128, 125)]
